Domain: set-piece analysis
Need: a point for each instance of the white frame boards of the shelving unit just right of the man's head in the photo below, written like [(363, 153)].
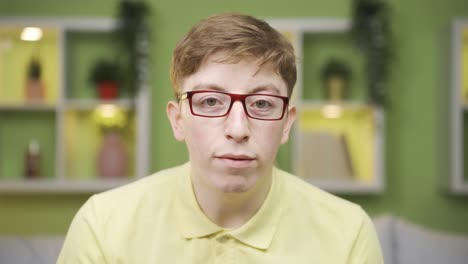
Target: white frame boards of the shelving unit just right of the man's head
[(296, 29)]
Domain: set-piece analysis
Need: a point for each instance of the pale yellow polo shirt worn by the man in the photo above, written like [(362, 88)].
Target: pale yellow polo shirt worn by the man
[(157, 220)]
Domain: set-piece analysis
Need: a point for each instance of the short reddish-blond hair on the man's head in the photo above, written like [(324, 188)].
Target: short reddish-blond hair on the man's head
[(240, 37)]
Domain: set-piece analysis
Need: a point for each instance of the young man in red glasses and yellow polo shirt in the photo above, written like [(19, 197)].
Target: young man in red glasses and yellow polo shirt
[(232, 75)]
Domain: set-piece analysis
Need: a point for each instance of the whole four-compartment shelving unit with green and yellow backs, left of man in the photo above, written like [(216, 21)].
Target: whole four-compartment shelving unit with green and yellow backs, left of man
[(68, 121)]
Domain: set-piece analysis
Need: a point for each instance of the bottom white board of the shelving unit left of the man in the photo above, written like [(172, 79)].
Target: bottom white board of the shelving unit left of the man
[(56, 186)]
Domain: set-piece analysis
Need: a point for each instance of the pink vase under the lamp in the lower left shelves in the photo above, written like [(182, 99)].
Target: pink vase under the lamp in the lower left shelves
[(112, 159)]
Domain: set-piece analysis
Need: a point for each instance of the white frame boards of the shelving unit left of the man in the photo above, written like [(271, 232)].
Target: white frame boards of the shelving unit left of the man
[(139, 105)]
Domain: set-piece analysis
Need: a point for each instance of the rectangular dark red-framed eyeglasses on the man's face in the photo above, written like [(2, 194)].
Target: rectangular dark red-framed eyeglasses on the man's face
[(218, 104)]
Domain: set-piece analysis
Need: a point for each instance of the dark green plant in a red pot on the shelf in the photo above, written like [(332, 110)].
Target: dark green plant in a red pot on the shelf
[(105, 75)]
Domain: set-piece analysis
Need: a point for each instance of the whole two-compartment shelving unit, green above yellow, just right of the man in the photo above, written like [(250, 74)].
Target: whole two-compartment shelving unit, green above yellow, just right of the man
[(336, 145)]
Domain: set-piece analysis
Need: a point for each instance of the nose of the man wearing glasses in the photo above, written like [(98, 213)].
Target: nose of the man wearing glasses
[(237, 124)]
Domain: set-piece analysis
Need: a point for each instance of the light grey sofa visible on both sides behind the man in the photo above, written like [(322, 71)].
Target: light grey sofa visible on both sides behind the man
[(402, 243)]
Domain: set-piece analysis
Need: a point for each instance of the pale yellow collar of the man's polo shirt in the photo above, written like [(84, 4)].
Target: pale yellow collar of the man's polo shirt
[(258, 232)]
